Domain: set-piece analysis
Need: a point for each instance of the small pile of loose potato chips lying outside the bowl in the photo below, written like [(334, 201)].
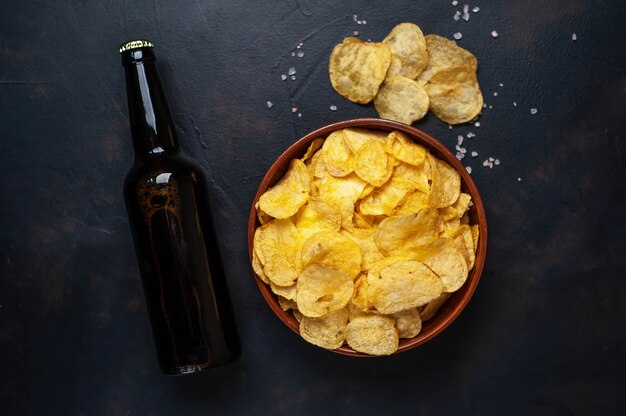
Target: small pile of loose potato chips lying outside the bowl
[(408, 73)]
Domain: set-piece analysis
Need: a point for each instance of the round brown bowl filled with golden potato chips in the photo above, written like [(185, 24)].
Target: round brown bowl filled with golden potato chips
[(367, 237)]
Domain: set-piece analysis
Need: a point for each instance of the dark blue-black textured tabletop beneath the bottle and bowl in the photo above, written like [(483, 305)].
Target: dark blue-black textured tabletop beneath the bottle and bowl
[(545, 331)]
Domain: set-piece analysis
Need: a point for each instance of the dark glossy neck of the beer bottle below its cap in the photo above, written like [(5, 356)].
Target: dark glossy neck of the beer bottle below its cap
[(150, 120)]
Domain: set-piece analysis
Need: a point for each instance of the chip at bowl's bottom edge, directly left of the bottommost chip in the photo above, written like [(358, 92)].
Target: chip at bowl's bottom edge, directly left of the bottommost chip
[(326, 332)]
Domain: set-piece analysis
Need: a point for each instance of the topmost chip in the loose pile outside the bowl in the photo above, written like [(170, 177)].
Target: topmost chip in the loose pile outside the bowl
[(408, 51)]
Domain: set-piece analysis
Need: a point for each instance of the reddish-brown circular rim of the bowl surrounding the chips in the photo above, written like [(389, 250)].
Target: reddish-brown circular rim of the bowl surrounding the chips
[(429, 142)]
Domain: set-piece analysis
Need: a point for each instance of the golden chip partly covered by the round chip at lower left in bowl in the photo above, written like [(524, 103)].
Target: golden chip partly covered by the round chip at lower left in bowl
[(333, 250)]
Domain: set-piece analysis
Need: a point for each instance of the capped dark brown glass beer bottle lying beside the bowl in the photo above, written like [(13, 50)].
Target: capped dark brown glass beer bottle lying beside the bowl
[(167, 202)]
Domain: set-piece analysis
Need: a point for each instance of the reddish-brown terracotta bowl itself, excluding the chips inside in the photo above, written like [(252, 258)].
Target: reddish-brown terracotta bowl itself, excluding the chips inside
[(459, 299)]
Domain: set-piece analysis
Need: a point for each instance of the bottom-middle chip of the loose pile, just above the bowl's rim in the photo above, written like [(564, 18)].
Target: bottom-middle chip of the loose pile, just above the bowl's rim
[(401, 99)]
